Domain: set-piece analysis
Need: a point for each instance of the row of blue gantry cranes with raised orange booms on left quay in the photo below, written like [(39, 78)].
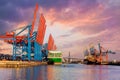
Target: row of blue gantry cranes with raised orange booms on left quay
[(30, 46)]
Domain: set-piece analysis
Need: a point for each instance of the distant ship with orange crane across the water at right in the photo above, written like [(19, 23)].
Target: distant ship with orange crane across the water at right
[(94, 56)]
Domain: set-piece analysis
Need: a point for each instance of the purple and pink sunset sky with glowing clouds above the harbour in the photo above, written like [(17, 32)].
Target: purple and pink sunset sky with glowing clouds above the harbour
[(74, 24)]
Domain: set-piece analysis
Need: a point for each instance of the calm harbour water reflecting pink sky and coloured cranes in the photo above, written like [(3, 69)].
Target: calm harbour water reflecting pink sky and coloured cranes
[(63, 72)]
